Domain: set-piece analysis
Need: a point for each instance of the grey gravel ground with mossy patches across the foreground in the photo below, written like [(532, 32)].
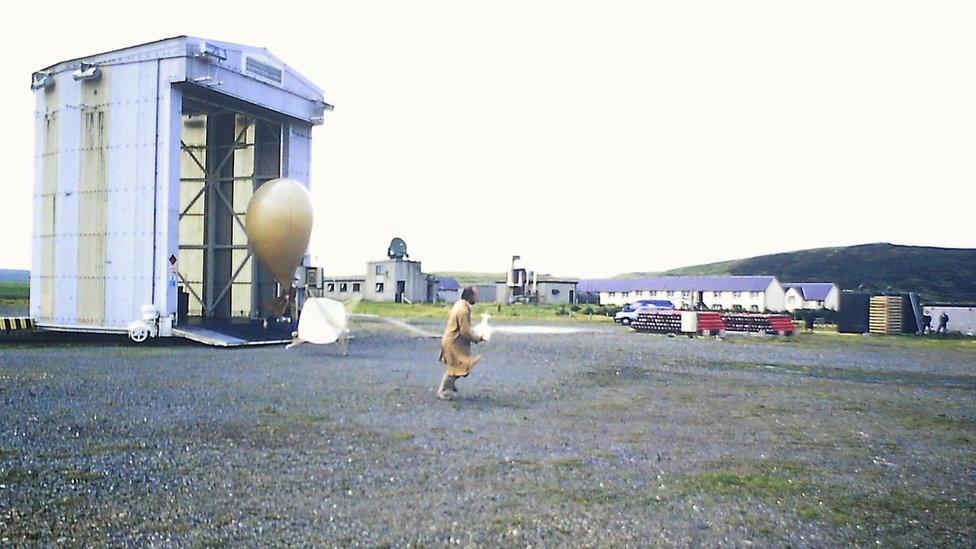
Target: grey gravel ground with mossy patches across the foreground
[(602, 438)]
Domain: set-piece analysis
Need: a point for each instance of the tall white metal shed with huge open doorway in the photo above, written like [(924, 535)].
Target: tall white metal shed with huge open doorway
[(145, 160)]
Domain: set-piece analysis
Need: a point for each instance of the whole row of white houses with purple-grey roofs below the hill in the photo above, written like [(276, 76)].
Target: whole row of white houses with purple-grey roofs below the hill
[(747, 293)]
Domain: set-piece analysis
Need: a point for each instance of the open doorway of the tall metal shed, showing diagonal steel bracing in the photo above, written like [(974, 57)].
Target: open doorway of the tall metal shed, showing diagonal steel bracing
[(226, 156)]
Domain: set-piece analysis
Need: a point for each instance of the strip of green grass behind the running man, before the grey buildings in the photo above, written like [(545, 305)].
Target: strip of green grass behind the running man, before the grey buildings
[(536, 313)]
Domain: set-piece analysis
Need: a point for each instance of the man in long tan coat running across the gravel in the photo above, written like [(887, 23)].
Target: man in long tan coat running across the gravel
[(456, 344)]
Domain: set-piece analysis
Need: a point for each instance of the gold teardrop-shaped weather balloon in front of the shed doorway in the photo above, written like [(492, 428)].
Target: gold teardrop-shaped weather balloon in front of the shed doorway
[(279, 223)]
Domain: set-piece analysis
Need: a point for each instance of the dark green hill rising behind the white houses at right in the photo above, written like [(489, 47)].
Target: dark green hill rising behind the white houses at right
[(937, 274)]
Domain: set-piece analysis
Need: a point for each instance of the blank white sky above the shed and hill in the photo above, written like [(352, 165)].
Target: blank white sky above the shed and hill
[(592, 138)]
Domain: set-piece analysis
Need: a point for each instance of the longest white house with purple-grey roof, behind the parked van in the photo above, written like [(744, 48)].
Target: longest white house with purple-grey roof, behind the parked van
[(733, 293)]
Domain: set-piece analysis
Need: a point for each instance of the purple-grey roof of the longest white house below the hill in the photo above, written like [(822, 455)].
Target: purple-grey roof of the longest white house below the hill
[(679, 283)]
